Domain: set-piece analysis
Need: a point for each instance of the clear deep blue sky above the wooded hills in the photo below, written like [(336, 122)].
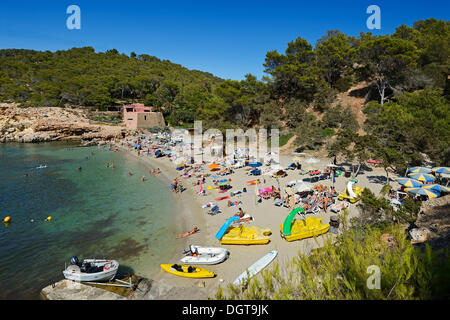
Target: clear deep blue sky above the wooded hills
[(226, 38)]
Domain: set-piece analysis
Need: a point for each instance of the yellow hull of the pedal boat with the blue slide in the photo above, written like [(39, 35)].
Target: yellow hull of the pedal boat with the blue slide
[(246, 235)]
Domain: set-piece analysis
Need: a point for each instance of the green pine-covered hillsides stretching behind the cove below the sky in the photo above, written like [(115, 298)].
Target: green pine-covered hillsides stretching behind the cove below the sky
[(405, 75)]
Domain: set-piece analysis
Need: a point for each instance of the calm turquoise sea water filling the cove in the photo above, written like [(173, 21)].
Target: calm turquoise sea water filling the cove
[(97, 212)]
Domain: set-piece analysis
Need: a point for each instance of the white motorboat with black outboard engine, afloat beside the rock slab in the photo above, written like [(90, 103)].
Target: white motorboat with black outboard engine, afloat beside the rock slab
[(91, 270)]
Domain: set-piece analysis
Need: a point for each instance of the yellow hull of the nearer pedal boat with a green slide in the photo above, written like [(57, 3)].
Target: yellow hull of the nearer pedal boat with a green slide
[(301, 229)]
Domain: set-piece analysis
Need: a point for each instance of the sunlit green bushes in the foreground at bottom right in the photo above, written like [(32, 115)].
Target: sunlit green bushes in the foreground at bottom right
[(341, 269)]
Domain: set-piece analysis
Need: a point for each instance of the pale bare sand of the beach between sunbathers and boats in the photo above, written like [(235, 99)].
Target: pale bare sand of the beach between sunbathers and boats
[(264, 213)]
